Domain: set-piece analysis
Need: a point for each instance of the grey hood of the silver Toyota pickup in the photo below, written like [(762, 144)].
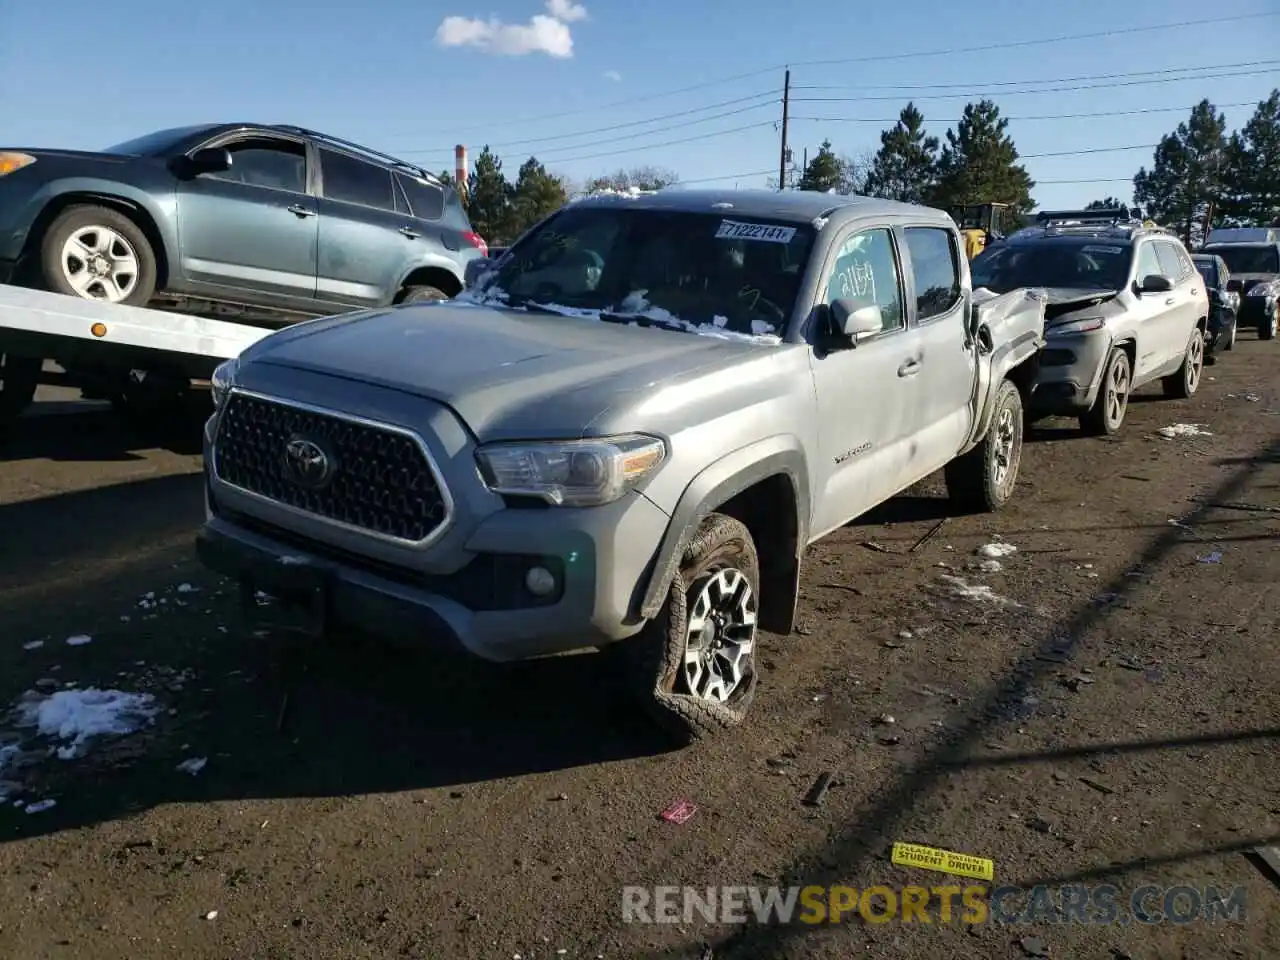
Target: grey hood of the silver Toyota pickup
[(506, 373)]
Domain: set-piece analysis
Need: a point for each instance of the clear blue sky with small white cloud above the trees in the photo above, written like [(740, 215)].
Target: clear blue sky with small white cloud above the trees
[(546, 77)]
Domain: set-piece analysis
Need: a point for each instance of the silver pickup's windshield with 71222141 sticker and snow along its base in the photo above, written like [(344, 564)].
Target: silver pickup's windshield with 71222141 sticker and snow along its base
[(697, 272)]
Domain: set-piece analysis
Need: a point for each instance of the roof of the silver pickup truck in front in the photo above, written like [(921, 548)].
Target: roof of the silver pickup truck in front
[(792, 205)]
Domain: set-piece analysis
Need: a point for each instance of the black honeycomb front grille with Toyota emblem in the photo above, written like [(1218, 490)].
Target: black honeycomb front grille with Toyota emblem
[(363, 476)]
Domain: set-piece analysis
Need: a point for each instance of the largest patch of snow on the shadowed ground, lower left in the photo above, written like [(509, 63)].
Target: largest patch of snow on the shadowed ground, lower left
[(79, 716)]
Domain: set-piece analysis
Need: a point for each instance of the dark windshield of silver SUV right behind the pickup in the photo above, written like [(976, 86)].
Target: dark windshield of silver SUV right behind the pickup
[(1094, 266)]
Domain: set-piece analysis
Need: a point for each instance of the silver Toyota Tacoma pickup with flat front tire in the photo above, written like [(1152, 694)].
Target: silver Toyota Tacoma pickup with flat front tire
[(624, 436)]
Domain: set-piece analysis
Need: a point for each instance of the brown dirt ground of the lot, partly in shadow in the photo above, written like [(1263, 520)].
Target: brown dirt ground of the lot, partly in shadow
[(1105, 714)]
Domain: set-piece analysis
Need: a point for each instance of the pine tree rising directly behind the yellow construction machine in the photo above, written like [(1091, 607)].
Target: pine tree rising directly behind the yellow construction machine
[(980, 164)]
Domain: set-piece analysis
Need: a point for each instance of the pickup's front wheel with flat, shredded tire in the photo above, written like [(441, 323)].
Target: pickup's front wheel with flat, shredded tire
[(694, 664)]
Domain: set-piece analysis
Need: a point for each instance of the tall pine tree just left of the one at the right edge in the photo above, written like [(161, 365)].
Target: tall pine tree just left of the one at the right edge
[(1187, 172)]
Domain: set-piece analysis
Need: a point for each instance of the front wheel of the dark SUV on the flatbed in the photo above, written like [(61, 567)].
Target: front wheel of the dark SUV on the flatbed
[(95, 253)]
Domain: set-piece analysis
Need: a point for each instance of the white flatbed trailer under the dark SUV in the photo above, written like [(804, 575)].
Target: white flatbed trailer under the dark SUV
[(85, 335)]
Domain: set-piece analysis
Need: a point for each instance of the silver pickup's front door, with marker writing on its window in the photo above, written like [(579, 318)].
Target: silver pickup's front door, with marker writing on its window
[(866, 422)]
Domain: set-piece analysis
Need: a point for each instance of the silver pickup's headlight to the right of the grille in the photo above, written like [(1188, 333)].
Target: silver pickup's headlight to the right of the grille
[(572, 473)]
